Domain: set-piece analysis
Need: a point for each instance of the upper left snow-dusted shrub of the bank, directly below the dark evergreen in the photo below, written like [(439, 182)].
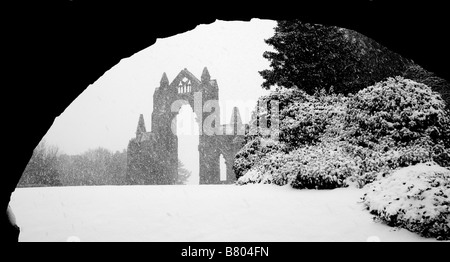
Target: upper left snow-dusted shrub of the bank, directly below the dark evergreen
[(302, 117)]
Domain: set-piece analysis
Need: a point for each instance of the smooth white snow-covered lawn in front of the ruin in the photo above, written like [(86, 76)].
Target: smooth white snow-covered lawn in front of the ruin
[(197, 213)]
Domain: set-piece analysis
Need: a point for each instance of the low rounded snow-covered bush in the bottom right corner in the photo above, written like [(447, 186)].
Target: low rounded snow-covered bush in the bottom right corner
[(416, 198)]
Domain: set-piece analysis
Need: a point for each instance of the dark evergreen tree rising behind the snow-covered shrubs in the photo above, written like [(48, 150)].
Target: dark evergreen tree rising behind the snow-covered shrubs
[(314, 57)]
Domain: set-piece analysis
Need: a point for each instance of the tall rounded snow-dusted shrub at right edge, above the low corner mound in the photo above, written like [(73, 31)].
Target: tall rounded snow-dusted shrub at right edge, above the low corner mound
[(397, 113)]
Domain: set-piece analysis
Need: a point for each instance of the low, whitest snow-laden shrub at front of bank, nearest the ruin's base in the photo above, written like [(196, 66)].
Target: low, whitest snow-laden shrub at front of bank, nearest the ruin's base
[(321, 166)]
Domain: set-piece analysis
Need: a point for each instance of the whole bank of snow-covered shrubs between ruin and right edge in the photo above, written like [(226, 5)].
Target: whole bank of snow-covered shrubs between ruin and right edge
[(326, 140)]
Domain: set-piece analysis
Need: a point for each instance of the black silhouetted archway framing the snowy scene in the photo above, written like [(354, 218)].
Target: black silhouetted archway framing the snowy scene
[(52, 53)]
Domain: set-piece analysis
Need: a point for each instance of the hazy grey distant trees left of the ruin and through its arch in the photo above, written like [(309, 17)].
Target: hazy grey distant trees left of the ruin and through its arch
[(49, 167)]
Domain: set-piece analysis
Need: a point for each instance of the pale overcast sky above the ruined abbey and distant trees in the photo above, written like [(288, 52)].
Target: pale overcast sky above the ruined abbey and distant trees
[(107, 112)]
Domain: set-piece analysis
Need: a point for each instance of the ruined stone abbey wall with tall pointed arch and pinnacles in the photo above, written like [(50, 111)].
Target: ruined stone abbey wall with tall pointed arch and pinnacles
[(153, 156)]
